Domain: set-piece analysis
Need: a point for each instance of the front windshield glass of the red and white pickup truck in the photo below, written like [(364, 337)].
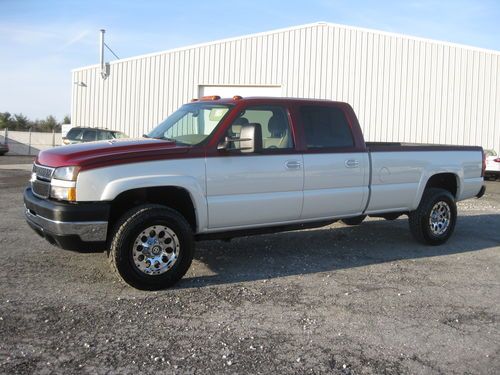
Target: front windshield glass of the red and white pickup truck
[(192, 123)]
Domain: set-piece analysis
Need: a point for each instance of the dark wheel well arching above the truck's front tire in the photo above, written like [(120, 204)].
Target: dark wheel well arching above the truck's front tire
[(171, 196)]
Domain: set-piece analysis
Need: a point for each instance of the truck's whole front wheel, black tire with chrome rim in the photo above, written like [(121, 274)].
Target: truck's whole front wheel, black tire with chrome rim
[(152, 247)]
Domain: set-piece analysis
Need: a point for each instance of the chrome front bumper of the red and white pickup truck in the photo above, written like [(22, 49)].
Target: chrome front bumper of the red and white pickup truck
[(87, 231)]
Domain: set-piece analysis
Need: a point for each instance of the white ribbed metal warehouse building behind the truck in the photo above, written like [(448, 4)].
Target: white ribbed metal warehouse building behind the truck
[(402, 88)]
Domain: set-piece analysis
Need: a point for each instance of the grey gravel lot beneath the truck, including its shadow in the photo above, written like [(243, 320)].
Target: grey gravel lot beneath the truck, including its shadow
[(341, 300)]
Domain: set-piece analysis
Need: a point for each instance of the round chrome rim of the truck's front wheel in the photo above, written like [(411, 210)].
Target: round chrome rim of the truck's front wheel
[(156, 249)]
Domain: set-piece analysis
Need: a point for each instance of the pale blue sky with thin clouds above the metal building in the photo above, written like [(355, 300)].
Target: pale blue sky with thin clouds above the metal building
[(41, 41)]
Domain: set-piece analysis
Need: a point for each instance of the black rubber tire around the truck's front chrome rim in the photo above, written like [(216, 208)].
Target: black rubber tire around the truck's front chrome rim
[(127, 230)]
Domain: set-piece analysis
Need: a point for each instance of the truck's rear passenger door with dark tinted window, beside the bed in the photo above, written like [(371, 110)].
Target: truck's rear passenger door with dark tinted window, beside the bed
[(336, 168)]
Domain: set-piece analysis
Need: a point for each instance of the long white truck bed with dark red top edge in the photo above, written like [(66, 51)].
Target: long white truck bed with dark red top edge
[(399, 172)]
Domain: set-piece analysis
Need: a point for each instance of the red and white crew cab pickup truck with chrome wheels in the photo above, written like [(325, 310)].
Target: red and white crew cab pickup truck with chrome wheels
[(220, 168)]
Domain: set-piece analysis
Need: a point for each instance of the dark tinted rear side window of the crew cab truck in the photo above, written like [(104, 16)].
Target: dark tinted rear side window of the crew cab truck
[(326, 127)]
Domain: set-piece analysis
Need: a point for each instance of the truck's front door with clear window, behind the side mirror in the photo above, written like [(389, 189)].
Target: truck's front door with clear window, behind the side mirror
[(249, 189)]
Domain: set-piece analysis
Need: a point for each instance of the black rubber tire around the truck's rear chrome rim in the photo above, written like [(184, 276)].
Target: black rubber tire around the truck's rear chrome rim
[(419, 219)]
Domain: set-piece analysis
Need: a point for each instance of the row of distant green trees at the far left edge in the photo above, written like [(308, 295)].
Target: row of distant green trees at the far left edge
[(20, 122)]
